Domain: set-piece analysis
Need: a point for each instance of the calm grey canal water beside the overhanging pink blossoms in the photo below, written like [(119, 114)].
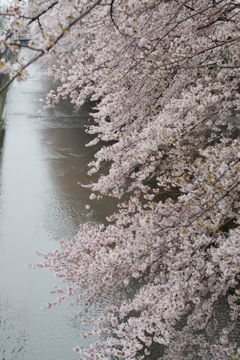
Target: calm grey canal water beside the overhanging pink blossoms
[(43, 157)]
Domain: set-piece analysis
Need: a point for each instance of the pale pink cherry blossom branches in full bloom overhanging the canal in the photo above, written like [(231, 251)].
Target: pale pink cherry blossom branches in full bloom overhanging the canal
[(165, 78)]
